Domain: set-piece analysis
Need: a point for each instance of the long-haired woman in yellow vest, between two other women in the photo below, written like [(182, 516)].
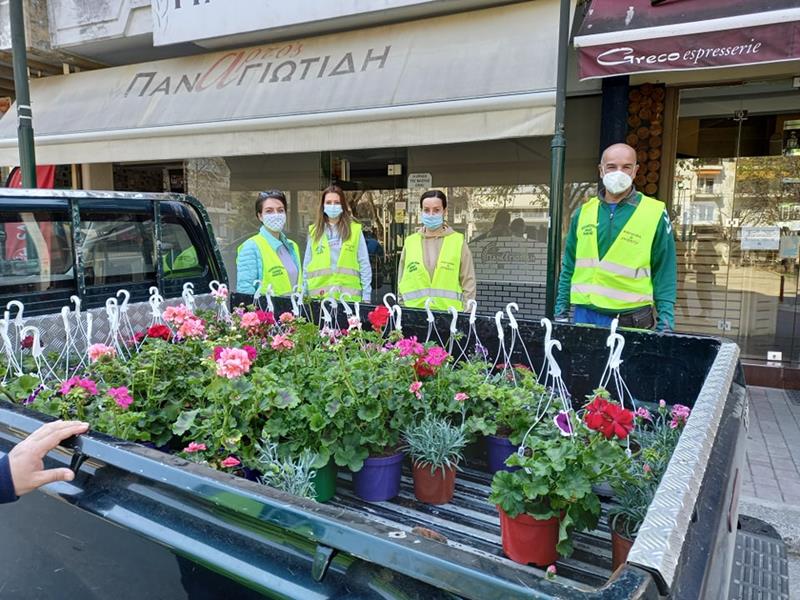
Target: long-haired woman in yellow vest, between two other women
[(336, 252)]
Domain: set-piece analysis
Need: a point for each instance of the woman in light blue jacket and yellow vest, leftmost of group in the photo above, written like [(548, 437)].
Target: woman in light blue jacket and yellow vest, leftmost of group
[(269, 256)]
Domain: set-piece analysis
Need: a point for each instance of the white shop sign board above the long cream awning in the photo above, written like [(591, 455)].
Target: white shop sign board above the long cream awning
[(177, 21)]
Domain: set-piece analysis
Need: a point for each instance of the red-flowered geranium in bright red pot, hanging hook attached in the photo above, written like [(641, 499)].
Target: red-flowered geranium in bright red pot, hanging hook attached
[(551, 495)]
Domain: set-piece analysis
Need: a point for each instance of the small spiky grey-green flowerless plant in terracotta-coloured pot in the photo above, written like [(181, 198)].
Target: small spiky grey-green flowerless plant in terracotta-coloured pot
[(435, 447)]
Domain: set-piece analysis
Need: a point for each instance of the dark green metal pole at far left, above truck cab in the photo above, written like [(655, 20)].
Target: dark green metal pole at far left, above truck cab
[(19, 52)]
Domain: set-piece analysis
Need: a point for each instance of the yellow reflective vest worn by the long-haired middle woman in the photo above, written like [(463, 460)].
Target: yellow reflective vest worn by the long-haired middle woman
[(345, 276)]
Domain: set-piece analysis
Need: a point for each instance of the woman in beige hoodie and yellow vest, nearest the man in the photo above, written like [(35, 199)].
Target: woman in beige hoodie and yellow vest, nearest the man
[(436, 263)]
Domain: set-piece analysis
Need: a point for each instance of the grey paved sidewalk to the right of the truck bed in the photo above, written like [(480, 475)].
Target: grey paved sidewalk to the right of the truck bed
[(771, 484)]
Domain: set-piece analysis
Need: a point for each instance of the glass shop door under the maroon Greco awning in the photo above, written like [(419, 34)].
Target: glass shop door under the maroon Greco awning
[(736, 212)]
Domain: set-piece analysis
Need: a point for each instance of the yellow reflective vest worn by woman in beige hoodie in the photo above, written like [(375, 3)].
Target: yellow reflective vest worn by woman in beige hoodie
[(444, 290)]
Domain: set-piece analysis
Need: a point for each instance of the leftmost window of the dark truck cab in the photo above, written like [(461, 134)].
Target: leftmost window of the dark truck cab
[(35, 251)]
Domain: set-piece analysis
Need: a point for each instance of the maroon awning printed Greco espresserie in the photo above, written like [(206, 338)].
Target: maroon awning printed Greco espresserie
[(643, 36)]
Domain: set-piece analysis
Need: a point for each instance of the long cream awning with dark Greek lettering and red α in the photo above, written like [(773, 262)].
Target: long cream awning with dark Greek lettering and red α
[(476, 75)]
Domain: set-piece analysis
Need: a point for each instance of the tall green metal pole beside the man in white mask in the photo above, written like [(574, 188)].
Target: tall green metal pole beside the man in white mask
[(558, 148)]
